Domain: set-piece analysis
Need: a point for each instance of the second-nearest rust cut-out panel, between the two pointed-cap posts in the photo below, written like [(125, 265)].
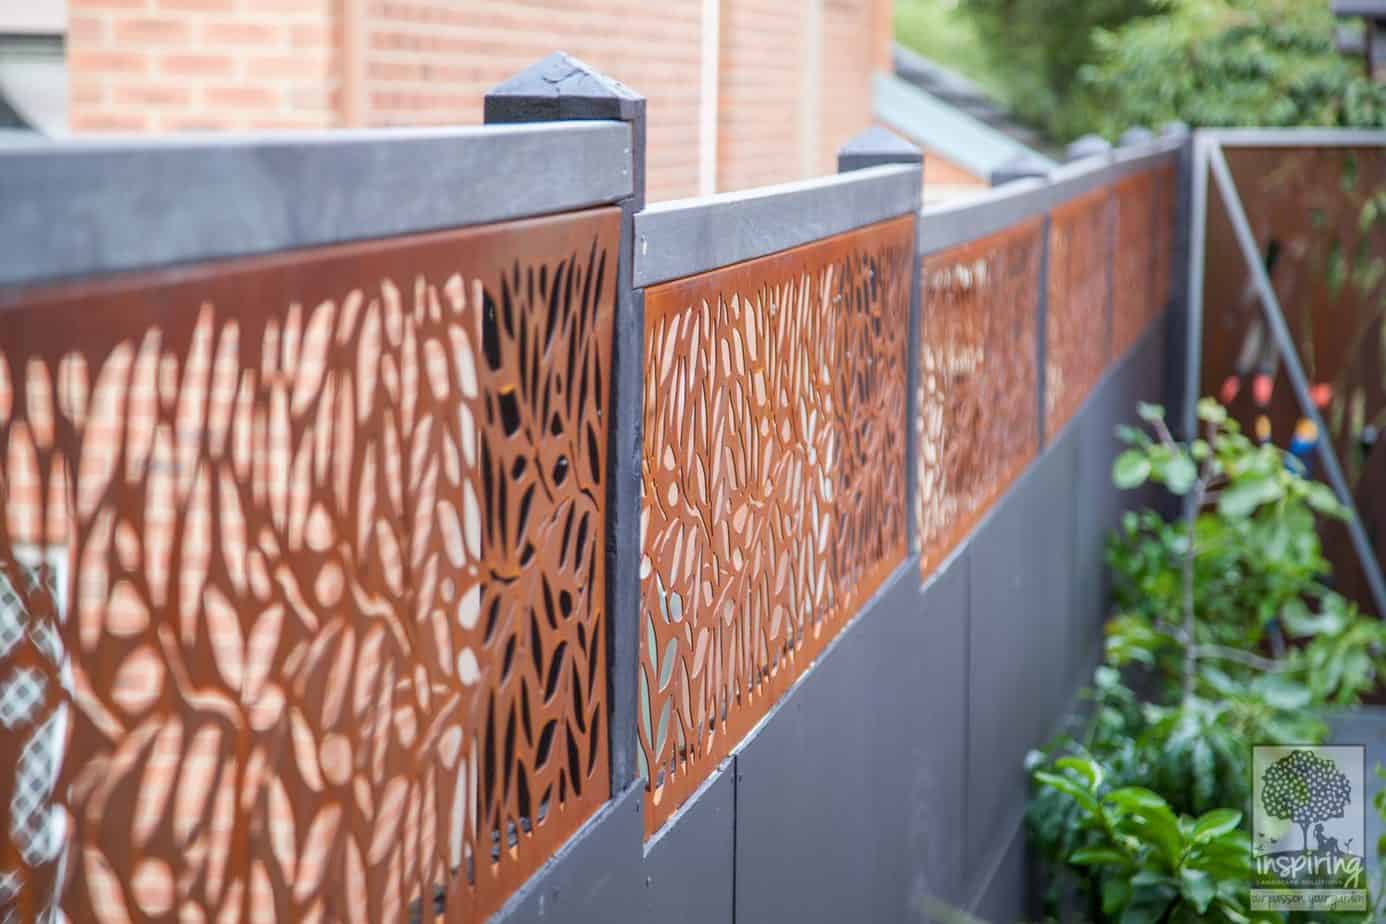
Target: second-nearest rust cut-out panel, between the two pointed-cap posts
[(774, 484)]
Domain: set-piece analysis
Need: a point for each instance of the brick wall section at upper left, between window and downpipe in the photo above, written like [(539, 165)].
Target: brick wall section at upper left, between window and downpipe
[(170, 66)]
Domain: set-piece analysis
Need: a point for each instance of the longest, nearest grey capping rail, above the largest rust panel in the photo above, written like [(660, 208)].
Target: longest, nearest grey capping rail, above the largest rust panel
[(69, 210)]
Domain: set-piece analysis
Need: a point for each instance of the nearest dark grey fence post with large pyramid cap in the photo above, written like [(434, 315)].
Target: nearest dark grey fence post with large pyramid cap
[(561, 88)]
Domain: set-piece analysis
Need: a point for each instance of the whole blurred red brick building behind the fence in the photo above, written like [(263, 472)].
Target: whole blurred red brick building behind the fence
[(741, 92)]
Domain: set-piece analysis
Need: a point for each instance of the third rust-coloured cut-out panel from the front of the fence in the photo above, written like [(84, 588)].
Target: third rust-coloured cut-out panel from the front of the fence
[(978, 382)]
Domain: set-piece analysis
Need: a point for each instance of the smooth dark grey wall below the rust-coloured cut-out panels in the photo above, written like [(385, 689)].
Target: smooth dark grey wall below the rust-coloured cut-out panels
[(892, 774)]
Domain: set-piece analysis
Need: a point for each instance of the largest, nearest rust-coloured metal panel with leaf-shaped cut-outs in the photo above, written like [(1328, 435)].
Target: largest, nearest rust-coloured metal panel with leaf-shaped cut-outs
[(307, 559)]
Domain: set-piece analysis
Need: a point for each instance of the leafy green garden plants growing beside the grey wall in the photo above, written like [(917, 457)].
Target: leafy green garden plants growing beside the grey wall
[(1225, 632)]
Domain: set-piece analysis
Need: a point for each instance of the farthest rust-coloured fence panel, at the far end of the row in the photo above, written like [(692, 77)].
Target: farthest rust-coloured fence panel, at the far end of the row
[(1134, 294)]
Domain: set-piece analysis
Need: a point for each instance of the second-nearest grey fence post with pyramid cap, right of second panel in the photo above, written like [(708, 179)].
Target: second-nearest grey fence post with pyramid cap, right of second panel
[(879, 148)]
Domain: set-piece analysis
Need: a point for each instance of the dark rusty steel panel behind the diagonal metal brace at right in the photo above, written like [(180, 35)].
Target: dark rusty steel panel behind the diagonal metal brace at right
[(1317, 217)]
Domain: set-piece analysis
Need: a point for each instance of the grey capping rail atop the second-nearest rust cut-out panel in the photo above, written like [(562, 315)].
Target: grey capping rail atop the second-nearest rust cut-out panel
[(687, 238)]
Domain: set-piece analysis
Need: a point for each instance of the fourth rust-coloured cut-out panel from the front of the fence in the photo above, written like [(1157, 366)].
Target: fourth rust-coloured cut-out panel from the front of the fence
[(1078, 340)]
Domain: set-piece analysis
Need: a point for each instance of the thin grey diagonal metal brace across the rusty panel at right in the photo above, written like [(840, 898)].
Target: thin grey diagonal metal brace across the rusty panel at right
[(1276, 321)]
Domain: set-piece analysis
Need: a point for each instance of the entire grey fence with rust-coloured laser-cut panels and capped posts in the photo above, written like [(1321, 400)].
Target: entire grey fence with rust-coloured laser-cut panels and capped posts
[(315, 595)]
